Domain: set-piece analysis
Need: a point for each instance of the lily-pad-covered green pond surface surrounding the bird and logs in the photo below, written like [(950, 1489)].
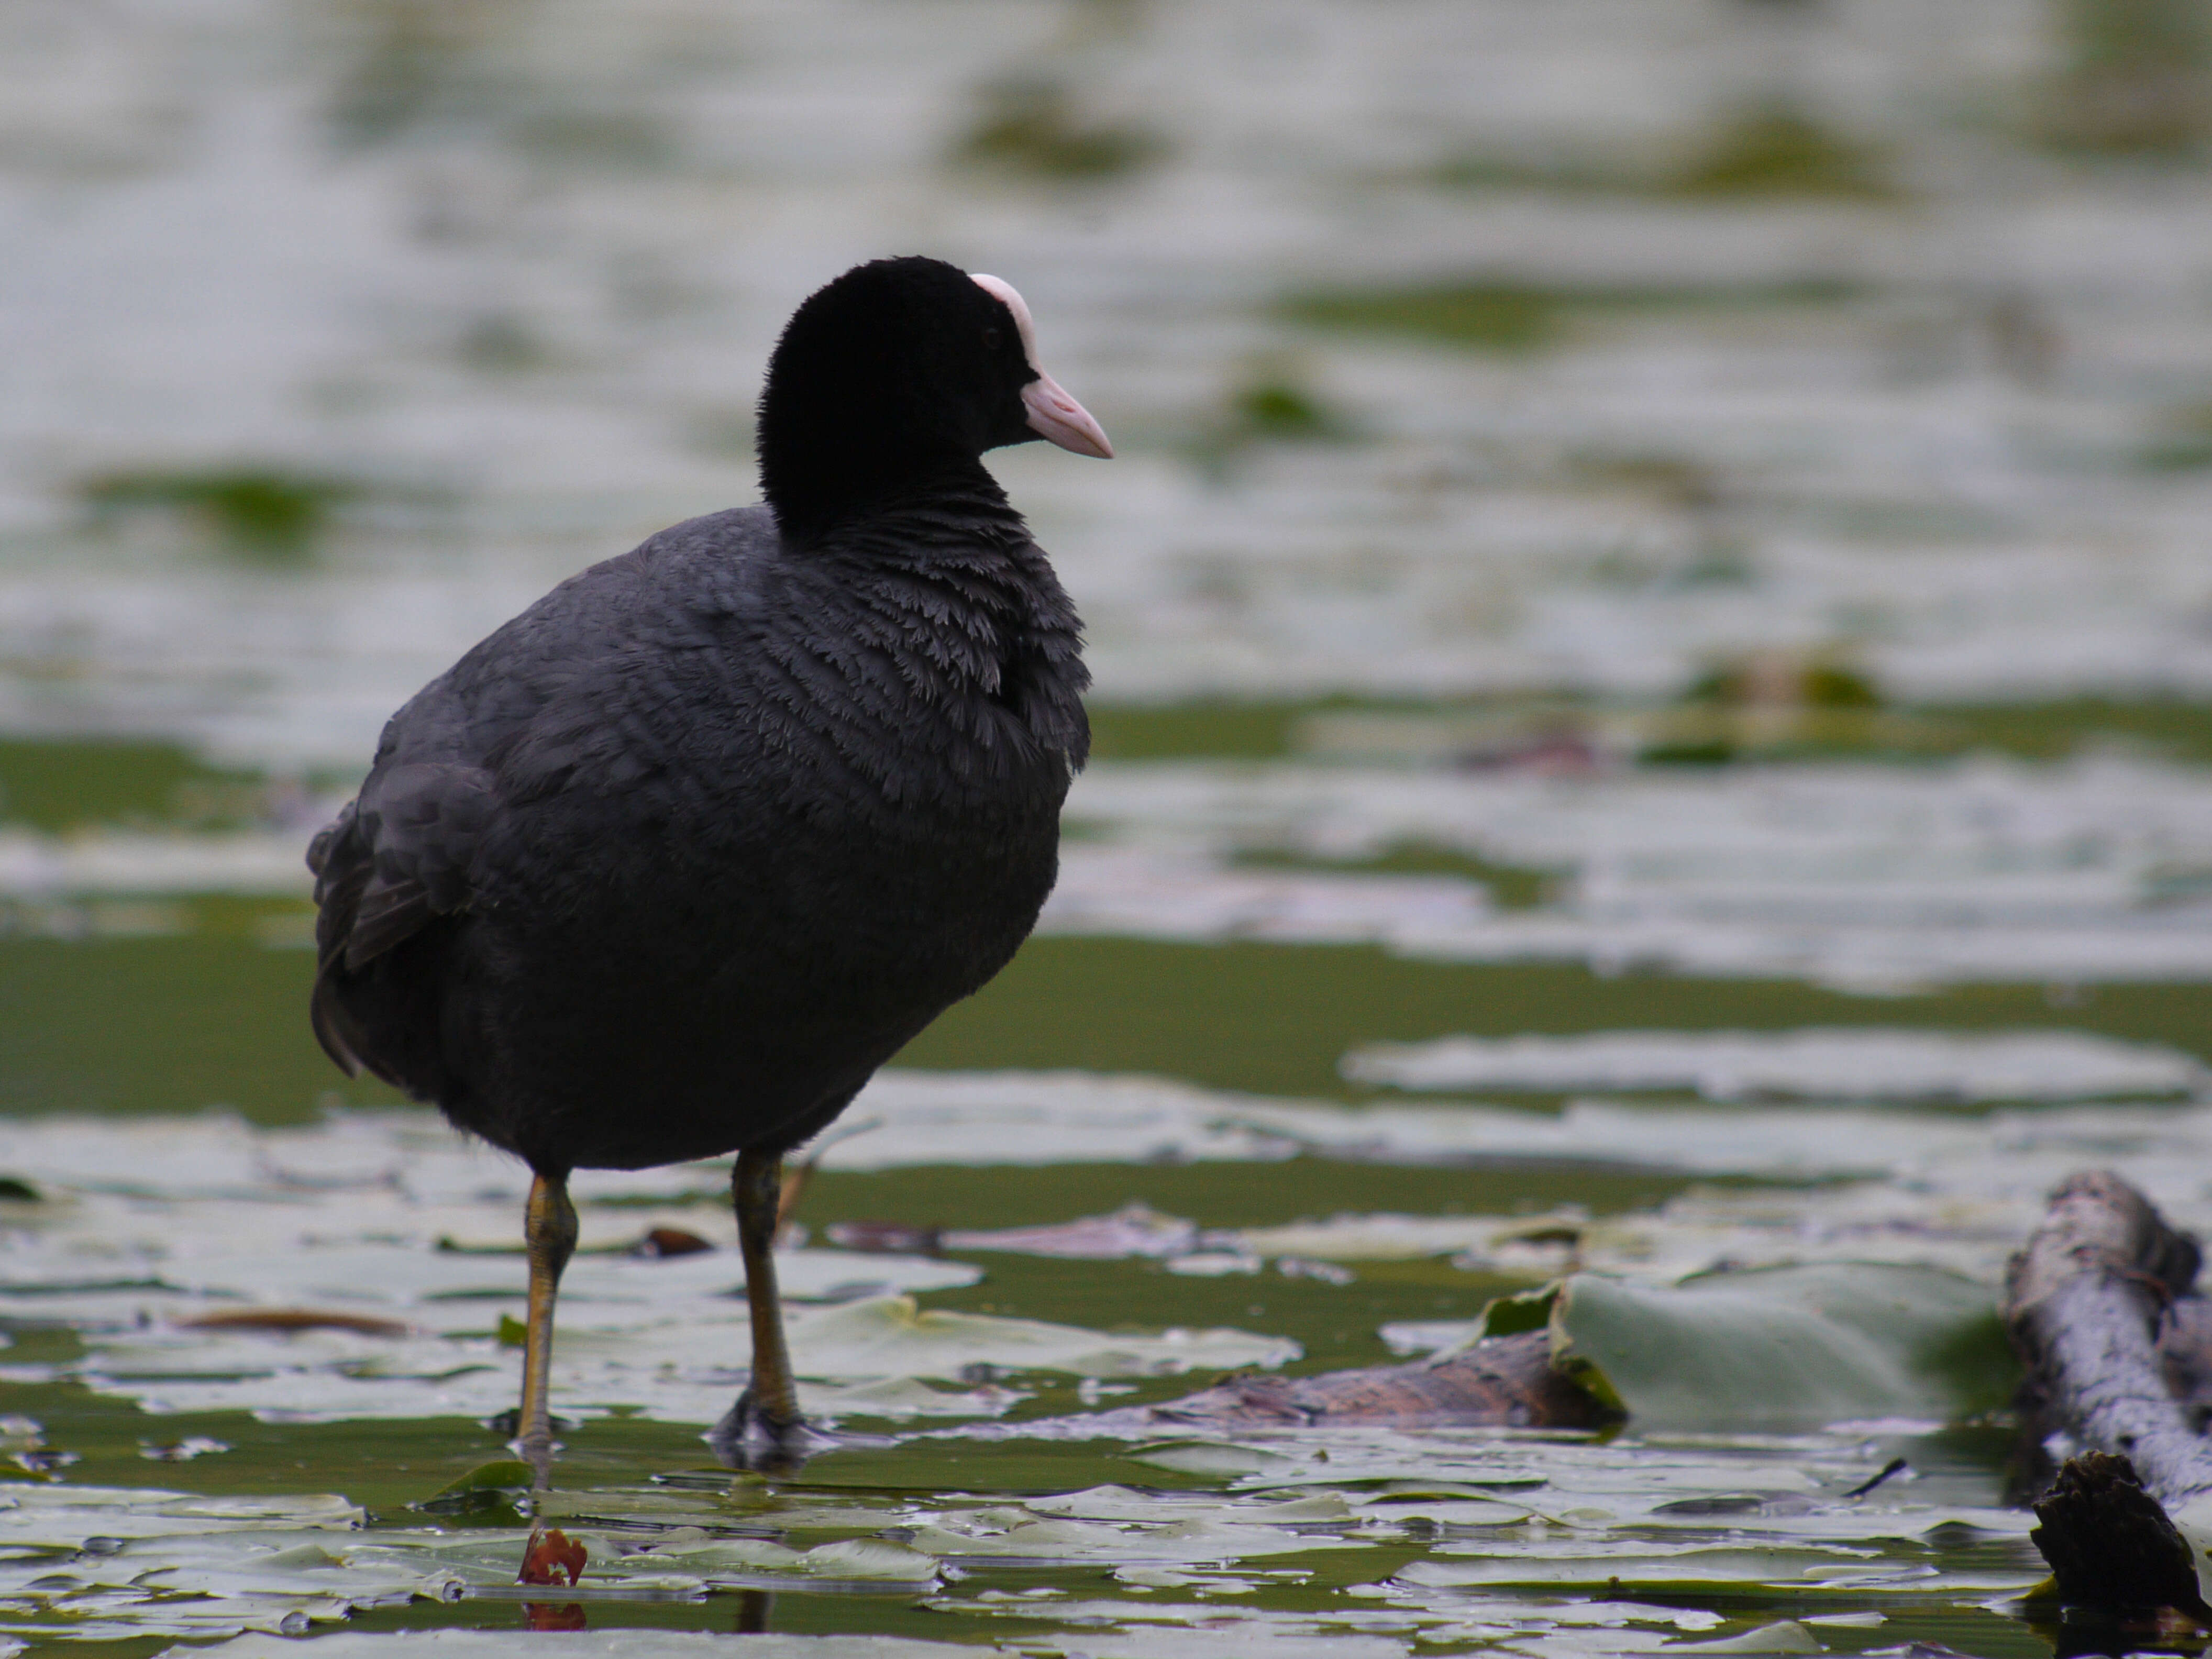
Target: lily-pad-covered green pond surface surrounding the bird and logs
[(1653, 738)]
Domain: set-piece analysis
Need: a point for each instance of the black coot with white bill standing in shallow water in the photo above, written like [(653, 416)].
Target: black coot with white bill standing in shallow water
[(671, 864)]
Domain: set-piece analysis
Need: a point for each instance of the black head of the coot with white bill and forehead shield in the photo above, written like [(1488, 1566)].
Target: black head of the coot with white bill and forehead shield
[(895, 373)]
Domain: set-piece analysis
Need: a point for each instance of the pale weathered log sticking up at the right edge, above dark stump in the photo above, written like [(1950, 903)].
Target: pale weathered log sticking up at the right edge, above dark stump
[(2085, 1306)]
